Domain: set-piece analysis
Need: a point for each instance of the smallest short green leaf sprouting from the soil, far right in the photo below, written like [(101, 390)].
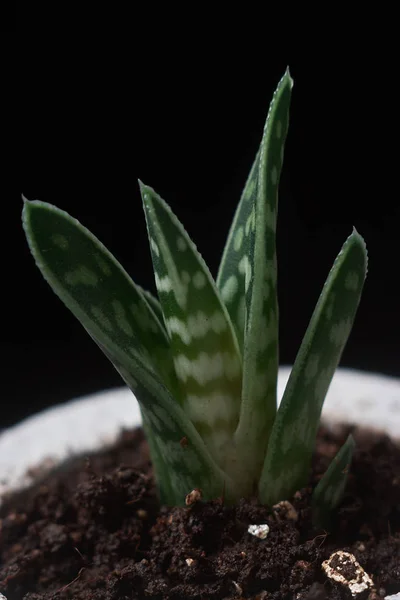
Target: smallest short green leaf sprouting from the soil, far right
[(329, 491)]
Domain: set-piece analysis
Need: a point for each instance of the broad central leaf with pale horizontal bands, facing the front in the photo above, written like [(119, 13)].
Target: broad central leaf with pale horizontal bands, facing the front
[(203, 342)]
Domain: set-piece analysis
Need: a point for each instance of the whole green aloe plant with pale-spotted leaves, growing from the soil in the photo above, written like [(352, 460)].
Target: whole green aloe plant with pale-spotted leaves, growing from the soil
[(202, 359)]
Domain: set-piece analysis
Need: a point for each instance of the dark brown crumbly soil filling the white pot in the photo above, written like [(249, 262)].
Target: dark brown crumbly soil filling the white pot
[(95, 531)]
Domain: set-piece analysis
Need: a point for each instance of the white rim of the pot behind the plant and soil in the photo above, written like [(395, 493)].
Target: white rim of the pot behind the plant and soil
[(90, 422)]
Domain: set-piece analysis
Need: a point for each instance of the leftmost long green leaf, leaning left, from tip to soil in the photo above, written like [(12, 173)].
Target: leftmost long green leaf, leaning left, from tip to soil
[(94, 286)]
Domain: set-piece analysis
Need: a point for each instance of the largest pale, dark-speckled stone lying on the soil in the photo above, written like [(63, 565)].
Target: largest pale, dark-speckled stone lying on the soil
[(345, 569)]
